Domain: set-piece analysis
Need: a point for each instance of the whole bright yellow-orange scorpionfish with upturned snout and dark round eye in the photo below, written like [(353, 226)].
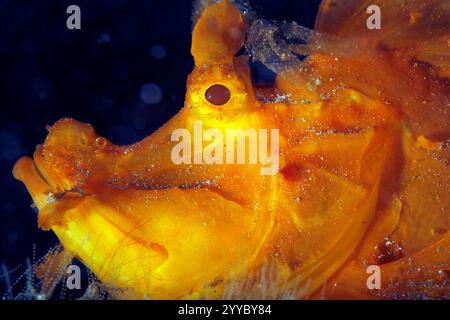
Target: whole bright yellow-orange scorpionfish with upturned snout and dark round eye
[(360, 182)]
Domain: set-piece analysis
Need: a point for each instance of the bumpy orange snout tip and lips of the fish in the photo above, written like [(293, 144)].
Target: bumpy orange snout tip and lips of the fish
[(61, 166)]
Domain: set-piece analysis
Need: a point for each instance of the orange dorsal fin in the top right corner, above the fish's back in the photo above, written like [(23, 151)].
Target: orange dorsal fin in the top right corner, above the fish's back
[(419, 28)]
